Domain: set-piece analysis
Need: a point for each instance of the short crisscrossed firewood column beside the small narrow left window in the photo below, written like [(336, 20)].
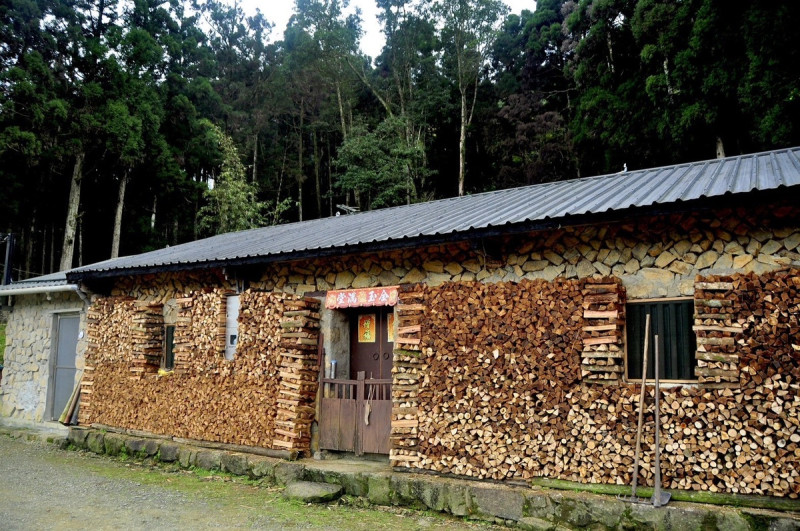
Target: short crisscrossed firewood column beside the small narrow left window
[(148, 338)]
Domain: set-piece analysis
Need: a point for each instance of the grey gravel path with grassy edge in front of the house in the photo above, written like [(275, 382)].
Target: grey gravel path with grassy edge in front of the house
[(42, 487)]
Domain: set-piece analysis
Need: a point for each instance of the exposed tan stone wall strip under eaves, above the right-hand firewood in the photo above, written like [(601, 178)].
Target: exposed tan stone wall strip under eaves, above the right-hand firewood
[(655, 256)]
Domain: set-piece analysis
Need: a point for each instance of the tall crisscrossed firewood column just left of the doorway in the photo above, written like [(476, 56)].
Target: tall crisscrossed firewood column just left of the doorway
[(299, 370)]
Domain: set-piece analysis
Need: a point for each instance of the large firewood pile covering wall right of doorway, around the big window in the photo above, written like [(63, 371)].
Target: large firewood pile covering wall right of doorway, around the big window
[(501, 394)]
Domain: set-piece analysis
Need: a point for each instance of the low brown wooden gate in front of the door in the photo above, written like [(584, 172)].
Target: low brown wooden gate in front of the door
[(356, 415)]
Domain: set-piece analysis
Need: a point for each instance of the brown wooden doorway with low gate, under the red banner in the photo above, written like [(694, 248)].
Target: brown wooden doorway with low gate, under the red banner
[(355, 413)]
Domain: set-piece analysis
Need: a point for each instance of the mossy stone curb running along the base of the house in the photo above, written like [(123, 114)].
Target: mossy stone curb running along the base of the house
[(527, 508)]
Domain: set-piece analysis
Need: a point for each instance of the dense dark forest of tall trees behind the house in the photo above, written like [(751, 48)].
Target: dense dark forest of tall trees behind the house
[(128, 125)]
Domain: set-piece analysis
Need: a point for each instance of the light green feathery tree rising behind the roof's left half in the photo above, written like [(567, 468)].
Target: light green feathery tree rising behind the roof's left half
[(232, 202)]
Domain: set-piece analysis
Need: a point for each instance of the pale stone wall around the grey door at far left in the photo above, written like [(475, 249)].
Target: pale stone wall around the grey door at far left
[(28, 355)]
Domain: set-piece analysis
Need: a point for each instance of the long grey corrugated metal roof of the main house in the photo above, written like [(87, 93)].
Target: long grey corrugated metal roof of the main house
[(551, 201)]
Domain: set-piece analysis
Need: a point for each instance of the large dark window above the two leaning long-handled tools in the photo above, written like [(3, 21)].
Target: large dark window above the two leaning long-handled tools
[(672, 321)]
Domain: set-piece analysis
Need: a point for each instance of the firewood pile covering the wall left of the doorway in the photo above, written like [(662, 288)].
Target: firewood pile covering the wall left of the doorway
[(206, 397)]
